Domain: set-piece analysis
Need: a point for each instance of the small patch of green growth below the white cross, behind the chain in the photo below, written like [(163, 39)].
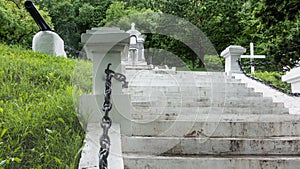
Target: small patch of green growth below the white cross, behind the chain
[(273, 78)]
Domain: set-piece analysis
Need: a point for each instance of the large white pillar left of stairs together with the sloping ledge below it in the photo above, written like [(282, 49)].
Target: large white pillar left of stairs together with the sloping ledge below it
[(103, 46)]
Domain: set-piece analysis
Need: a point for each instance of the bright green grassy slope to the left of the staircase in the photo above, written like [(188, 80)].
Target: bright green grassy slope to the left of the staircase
[(38, 123)]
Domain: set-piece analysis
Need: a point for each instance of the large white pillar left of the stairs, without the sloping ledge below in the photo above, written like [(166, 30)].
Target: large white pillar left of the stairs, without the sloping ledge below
[(106, 45)]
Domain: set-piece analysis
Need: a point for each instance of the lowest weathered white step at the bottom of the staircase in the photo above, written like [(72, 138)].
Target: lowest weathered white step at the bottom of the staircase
[(138, 161)]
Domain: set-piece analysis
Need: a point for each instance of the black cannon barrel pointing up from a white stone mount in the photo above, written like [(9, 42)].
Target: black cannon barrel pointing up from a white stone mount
[(39, 20)]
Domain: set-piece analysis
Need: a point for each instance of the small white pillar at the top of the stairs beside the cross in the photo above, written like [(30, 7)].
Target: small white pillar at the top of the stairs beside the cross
[(231, 55)]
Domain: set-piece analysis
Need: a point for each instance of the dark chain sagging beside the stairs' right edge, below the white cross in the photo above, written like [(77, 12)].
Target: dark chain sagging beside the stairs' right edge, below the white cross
[(265, 83)]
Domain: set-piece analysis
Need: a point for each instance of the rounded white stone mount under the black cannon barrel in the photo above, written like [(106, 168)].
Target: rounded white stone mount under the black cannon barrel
[(48, 42)]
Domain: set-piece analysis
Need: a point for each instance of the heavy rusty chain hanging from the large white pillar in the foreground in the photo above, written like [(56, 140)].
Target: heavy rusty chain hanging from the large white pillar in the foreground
[(106, 121)]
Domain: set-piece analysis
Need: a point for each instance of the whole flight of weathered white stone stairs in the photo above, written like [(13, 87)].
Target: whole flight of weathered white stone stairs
[(206, 120)]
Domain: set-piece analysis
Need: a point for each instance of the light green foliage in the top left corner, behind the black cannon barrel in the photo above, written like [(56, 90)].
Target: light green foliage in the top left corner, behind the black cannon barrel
[(16, 24)]
